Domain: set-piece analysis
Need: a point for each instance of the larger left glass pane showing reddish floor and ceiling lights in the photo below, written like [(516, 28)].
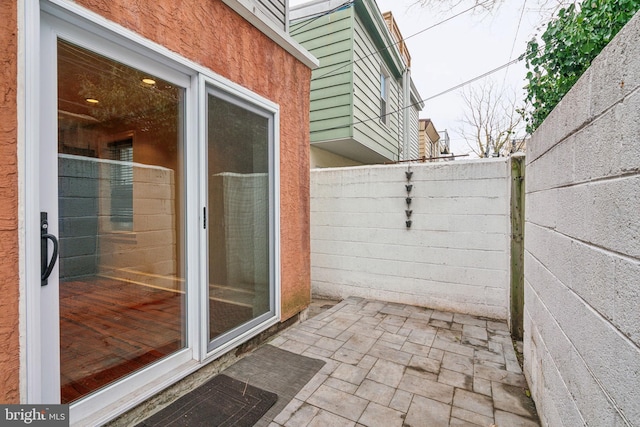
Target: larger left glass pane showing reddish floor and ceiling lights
[(122, 291)]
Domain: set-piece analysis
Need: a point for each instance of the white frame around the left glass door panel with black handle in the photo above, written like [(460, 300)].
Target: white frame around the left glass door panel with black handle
[(41, 354)]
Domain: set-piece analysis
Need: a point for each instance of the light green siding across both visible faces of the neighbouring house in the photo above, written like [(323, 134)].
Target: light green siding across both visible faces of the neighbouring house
[(345, 90)]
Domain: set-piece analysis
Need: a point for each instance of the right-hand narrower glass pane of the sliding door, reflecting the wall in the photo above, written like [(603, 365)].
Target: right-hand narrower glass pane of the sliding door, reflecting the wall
[(238, 168)]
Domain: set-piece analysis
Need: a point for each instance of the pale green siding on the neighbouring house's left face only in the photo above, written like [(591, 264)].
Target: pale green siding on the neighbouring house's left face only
[(330, 40)]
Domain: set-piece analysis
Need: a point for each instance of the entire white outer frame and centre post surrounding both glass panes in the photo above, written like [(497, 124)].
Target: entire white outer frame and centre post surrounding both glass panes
[(94, 32)]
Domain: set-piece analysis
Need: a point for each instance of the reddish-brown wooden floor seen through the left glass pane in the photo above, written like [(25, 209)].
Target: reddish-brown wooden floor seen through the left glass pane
[(111, 328)]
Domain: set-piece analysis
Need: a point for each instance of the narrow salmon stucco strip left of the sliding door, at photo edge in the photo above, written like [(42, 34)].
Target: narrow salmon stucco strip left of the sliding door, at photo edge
[(9, 279)]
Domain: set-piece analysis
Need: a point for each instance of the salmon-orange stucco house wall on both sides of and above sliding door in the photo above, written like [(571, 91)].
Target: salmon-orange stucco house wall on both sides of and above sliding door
[(207, 32)]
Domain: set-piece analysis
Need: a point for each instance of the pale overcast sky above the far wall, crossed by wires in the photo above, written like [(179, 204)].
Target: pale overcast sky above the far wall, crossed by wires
[(459, 50)]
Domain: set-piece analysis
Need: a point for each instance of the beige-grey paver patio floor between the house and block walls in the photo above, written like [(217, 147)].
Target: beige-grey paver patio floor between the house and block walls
[(397, 365)]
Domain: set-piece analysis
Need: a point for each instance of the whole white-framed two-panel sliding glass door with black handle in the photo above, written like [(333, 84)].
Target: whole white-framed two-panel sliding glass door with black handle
[(137, 286)]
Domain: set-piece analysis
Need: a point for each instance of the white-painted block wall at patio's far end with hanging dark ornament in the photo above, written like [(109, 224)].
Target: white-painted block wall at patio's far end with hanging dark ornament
[(454, 257)]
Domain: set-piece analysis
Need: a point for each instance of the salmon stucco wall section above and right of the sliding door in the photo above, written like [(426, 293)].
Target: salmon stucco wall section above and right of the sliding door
[(210, 33)]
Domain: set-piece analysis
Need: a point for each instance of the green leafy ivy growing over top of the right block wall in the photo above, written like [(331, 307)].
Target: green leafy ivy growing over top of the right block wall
[(570, 42)]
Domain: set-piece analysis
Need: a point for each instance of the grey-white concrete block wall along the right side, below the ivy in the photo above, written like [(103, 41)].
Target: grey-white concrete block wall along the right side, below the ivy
[(582, 247)]
